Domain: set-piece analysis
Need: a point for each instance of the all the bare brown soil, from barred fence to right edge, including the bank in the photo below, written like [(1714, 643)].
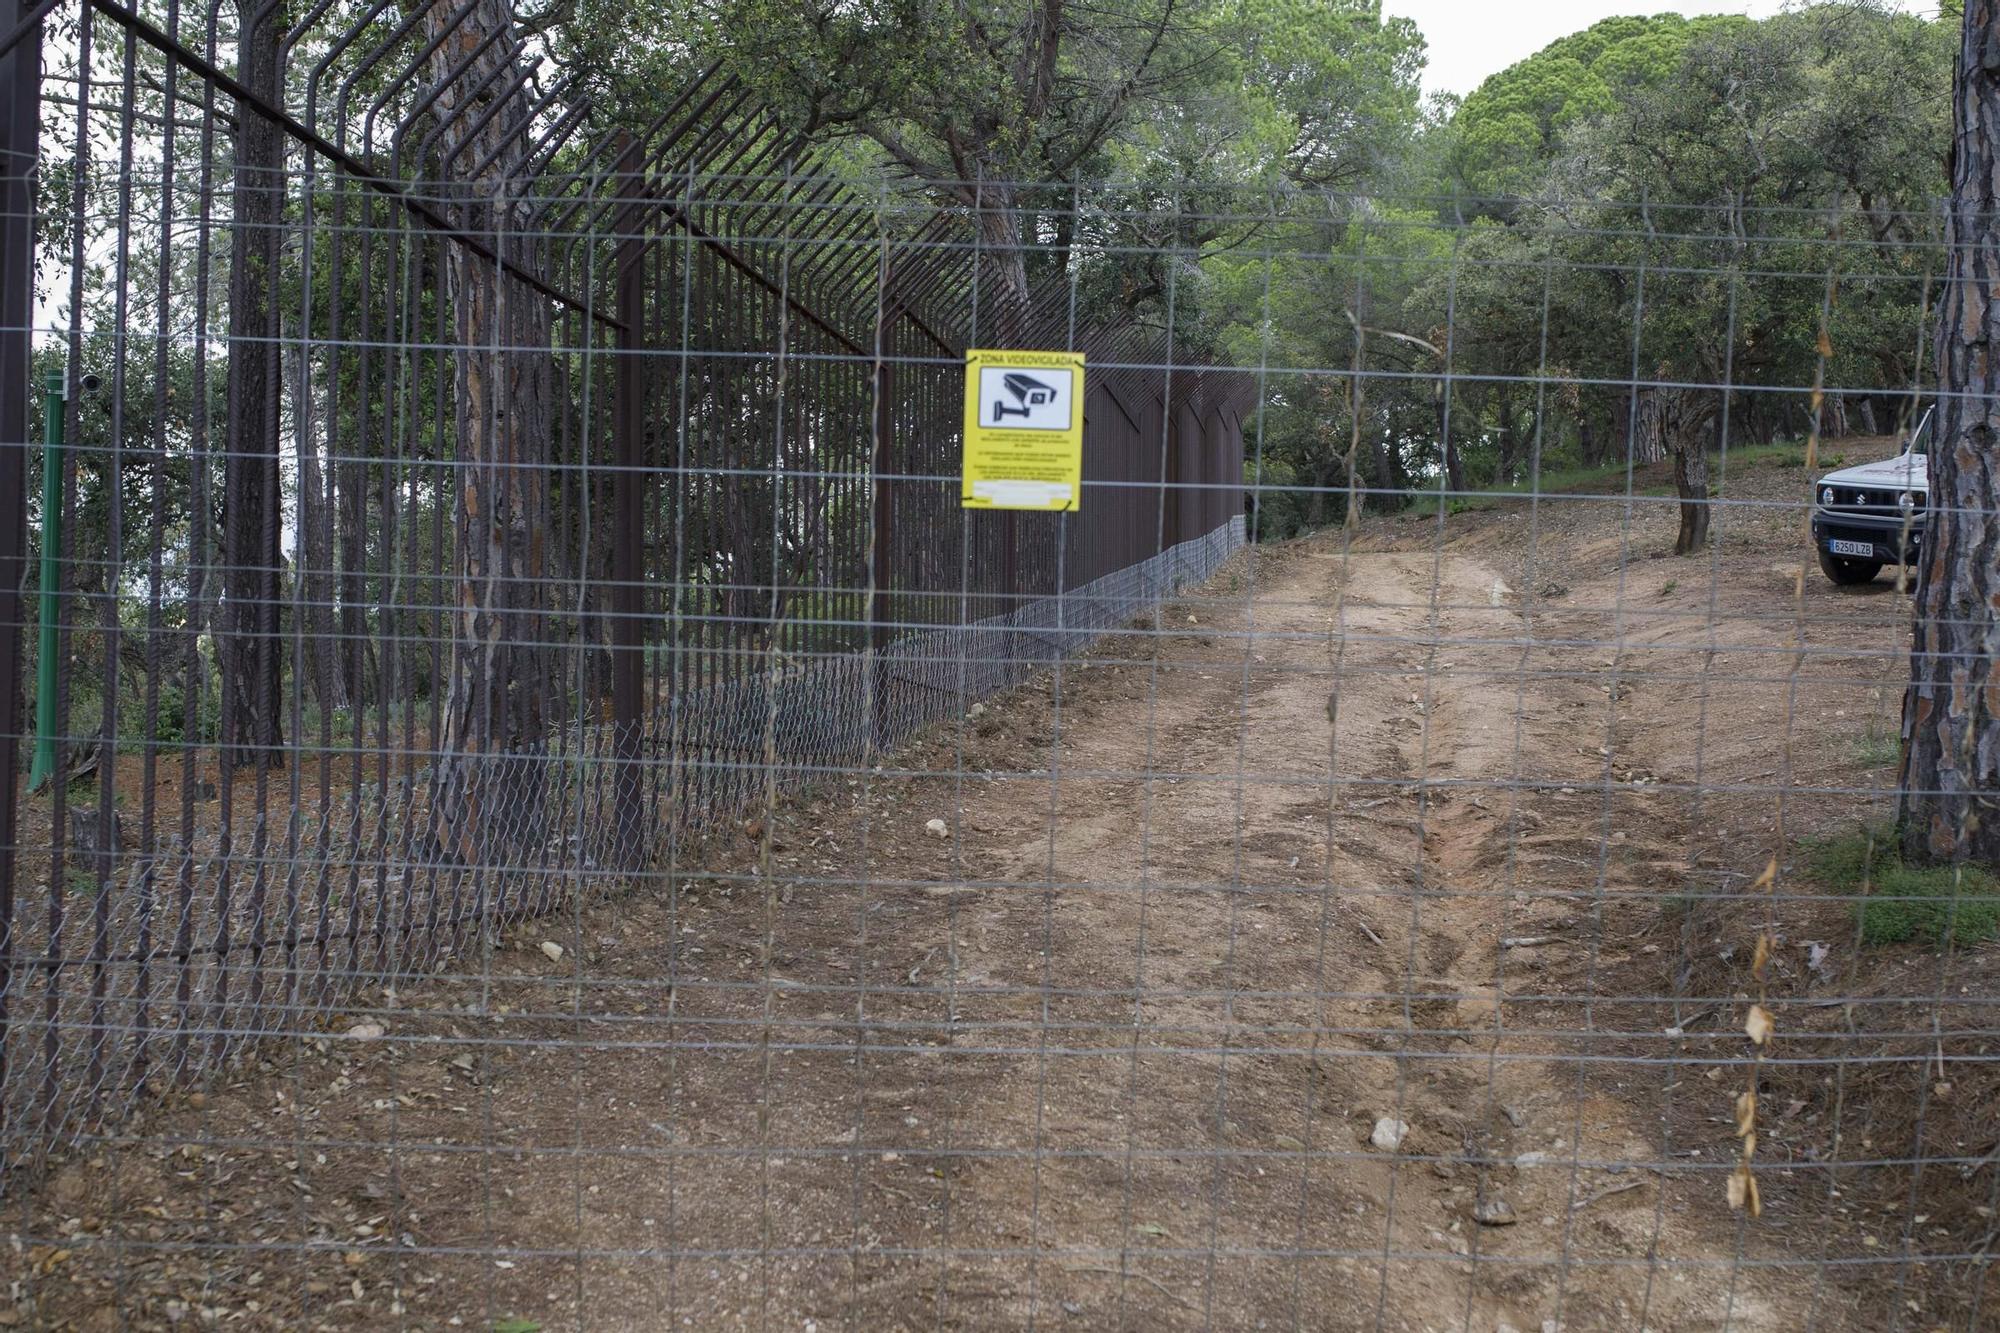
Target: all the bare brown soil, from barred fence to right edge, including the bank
[(1115, 1048)]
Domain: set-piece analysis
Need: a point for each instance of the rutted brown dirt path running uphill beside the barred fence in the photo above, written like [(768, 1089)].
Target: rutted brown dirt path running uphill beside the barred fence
[(1109, 1054)]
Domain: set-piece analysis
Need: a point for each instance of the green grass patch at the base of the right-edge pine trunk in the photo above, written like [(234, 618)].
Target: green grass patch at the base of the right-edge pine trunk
[(1935, 904)]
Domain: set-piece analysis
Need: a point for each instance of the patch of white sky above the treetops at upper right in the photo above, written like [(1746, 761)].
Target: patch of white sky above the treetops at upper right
[(1473, 39)]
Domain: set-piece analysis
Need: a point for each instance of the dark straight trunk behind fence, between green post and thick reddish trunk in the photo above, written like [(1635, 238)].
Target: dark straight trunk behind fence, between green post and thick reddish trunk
[(249, 639)]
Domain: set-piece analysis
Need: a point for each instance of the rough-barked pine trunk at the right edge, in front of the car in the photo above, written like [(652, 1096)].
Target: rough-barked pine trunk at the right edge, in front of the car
[(1951, 770)]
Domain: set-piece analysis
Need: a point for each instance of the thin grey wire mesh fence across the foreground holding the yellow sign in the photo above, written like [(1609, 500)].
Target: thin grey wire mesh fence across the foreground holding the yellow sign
[(555, 814)]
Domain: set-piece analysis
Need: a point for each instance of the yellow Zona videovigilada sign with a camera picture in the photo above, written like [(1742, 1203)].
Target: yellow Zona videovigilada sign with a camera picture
[(1025, 431)]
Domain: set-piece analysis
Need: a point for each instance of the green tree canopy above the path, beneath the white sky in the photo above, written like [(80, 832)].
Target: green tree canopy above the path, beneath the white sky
[(1655, 199)]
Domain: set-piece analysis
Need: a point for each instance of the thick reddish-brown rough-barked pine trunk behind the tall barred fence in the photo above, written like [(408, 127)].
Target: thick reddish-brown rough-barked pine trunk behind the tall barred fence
[(493, 766)]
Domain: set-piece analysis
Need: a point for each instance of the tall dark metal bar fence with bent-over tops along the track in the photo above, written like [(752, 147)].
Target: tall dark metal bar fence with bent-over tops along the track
[(461, 497)]
